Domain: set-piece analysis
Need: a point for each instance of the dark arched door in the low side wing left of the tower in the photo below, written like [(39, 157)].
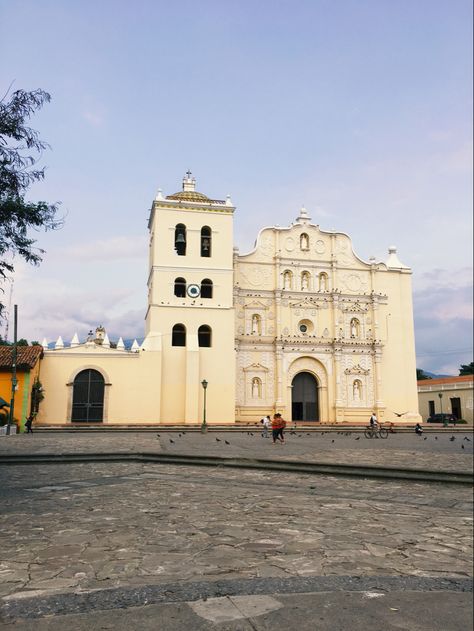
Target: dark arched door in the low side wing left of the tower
[(88, 397)]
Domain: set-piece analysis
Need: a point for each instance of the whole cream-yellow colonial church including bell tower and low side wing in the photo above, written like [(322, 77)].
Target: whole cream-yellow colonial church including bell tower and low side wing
[(300, 325)]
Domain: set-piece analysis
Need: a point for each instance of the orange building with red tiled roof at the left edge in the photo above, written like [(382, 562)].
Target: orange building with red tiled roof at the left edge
[(28, 370)]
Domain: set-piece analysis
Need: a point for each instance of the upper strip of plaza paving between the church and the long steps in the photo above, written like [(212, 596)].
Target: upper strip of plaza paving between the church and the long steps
[(401, 449)]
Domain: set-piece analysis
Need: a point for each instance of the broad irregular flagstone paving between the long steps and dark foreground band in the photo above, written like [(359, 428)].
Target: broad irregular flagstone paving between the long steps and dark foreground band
[(93, 526)]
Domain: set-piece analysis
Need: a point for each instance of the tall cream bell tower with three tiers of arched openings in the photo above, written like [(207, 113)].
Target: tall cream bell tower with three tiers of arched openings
[(190, 315)]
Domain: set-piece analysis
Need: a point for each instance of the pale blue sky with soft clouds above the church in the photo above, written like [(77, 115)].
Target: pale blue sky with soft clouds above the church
[(361, 110)]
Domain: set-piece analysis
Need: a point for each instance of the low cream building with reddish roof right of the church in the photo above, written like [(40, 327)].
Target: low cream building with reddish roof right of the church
[(456, 397)]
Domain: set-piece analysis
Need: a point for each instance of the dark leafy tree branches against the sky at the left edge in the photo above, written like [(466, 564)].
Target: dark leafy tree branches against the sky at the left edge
[(20, 149)]
